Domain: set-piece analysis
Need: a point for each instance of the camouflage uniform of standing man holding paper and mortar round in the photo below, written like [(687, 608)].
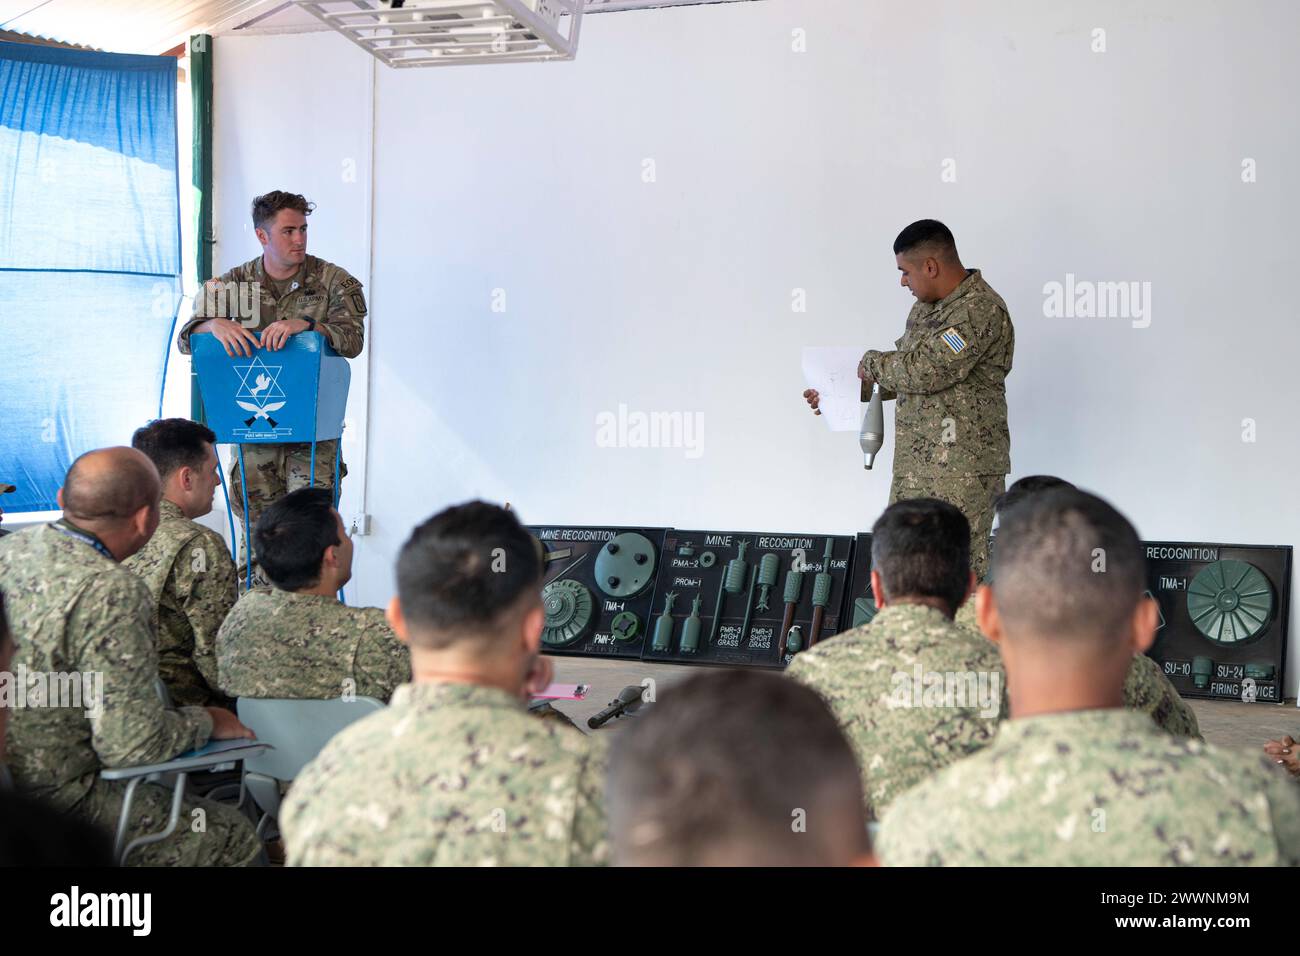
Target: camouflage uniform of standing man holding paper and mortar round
[(951, 435)]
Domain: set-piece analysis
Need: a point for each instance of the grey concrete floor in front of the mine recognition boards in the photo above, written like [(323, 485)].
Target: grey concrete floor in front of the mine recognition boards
[(1227, 724)]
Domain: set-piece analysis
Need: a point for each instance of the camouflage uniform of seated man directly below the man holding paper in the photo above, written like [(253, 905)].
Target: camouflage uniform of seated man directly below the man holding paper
[(902, 741)]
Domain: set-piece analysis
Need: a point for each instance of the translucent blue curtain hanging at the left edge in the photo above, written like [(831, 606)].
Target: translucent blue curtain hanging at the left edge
[(90, 257)]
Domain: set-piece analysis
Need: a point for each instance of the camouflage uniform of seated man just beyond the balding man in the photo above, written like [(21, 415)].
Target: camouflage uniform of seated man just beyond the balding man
[(192, 581)]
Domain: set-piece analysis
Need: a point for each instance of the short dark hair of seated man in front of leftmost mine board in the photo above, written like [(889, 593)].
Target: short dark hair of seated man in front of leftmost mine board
[(463, 568)]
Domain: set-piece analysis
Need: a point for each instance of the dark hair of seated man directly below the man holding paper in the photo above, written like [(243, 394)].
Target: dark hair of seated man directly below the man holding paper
[(922, 548)]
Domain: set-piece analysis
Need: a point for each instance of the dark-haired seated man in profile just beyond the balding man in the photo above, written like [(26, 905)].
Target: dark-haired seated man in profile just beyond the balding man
[(188, 568)]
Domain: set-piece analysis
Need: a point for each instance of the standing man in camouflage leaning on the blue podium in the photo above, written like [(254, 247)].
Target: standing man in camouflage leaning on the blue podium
[(281, 293)]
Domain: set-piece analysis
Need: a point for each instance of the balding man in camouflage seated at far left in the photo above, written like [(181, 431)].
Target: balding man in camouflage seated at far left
[(75, 612)]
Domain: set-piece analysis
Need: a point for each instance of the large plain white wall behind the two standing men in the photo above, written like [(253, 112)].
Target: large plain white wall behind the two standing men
[(779, 170)]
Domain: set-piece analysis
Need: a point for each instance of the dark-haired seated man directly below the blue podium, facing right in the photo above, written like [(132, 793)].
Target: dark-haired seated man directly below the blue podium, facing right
[(297, 639)]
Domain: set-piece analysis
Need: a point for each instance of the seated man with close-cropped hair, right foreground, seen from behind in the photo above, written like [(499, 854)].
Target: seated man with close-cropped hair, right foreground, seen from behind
[(1074, 778)]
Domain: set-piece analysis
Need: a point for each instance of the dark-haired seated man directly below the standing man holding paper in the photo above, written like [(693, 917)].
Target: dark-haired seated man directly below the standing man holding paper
[(913, 691)]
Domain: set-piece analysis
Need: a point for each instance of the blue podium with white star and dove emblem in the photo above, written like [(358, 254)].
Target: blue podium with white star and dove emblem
[(293, 396)]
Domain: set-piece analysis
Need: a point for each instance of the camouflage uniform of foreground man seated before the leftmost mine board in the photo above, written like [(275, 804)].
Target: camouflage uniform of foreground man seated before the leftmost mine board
[(450, 776)]
